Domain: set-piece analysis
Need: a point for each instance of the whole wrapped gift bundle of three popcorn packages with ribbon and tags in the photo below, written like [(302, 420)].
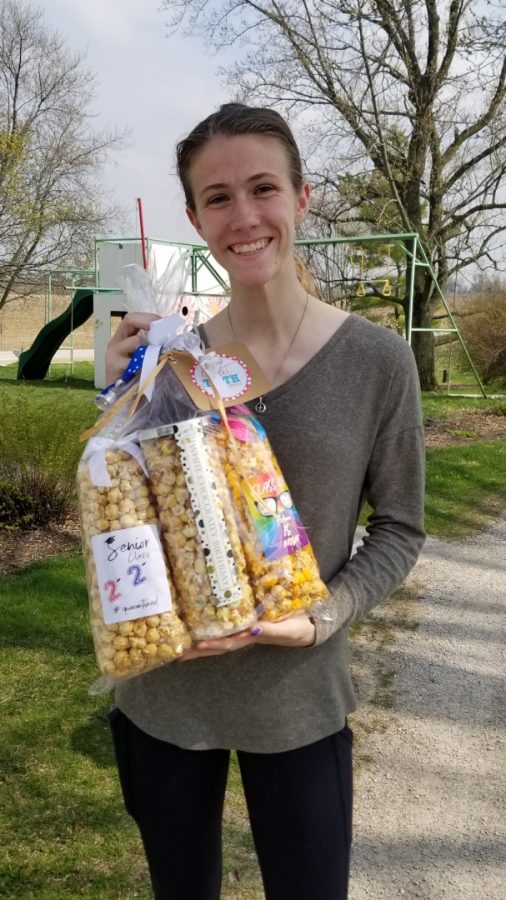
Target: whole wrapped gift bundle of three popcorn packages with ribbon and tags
[(175, 454)]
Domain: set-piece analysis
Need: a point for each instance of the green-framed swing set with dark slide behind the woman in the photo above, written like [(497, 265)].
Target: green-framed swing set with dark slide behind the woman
[(402, 252)]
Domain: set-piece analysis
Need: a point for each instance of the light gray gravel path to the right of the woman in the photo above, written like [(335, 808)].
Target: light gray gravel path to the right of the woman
[(430, 812)]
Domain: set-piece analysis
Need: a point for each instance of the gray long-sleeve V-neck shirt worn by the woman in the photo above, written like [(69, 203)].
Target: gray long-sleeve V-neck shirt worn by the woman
[(346, 429)]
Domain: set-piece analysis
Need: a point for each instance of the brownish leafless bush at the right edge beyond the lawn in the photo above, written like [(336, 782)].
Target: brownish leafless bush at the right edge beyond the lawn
[(484, 331)]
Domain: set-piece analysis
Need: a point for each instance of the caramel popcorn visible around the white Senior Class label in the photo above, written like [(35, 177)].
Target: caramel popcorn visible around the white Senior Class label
[(124, 648)]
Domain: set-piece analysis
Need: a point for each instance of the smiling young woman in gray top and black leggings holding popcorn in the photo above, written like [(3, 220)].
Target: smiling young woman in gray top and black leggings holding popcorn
[(343, 417)]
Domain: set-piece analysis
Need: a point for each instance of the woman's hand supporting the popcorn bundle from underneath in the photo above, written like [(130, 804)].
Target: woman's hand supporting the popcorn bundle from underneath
[(298, 631)]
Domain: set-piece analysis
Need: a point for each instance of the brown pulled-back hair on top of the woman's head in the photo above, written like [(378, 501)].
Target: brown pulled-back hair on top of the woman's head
[(230, 120)]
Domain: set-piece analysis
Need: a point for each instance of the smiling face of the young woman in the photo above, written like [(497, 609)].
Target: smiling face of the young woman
[(246, 207)]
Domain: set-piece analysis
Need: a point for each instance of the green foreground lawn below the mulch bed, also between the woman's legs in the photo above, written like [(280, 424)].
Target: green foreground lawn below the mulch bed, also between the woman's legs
[(63, 830)]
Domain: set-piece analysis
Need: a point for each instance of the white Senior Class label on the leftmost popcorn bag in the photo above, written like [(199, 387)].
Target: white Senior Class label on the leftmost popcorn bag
[(131, 573)]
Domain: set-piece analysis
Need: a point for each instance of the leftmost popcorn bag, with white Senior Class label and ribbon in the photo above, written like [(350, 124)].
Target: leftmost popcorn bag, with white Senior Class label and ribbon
[(134, 623)]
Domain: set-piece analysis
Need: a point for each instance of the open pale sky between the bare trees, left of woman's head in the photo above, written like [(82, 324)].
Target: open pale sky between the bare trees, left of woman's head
[(157, 87)]
